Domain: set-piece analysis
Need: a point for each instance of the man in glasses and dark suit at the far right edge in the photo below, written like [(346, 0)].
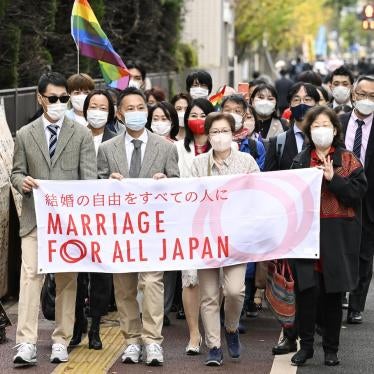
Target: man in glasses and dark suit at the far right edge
[(358, 129)]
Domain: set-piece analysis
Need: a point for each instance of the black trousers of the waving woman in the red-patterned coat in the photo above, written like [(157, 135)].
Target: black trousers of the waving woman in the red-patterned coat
[(330, 307)]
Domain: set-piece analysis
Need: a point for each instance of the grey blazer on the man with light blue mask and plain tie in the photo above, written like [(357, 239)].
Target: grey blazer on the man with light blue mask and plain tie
[(160, 157)]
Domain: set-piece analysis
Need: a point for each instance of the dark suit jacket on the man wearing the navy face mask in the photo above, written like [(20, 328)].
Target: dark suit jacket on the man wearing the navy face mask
[(290, 151)]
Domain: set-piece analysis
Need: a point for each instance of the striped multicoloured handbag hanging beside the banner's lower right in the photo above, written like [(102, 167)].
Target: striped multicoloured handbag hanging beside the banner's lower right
[(279, 293)]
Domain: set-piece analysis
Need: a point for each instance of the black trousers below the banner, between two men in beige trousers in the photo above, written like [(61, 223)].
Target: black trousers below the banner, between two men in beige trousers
[(97, 286)]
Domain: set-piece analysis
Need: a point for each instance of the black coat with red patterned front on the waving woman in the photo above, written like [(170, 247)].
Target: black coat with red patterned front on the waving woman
[(340, 232)]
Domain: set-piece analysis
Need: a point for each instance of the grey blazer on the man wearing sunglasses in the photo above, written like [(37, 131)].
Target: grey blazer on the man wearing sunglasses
[(74, 159)]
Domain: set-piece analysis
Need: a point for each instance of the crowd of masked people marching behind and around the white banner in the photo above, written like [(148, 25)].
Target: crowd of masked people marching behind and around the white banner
[(137, 133)]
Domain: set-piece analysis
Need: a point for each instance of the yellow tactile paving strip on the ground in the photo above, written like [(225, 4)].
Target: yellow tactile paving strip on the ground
[(90, 361)]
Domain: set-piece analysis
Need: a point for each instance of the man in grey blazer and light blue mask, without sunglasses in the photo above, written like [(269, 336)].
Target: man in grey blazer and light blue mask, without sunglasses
[(138, 153)]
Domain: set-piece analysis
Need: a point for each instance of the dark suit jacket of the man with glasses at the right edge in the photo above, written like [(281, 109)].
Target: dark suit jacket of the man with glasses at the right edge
[(368, 201)]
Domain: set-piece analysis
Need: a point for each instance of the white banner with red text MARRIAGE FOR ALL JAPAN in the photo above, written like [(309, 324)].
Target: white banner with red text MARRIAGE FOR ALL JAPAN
[(177, 224)]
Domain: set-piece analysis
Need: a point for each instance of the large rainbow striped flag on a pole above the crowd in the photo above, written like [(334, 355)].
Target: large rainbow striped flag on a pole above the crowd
[(92, 42)]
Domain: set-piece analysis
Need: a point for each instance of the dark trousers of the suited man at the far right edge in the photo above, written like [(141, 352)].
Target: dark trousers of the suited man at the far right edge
[(357, 298)]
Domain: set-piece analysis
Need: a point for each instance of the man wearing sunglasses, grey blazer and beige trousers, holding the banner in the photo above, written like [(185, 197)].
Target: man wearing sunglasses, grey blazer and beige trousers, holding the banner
[(54, 148)]
